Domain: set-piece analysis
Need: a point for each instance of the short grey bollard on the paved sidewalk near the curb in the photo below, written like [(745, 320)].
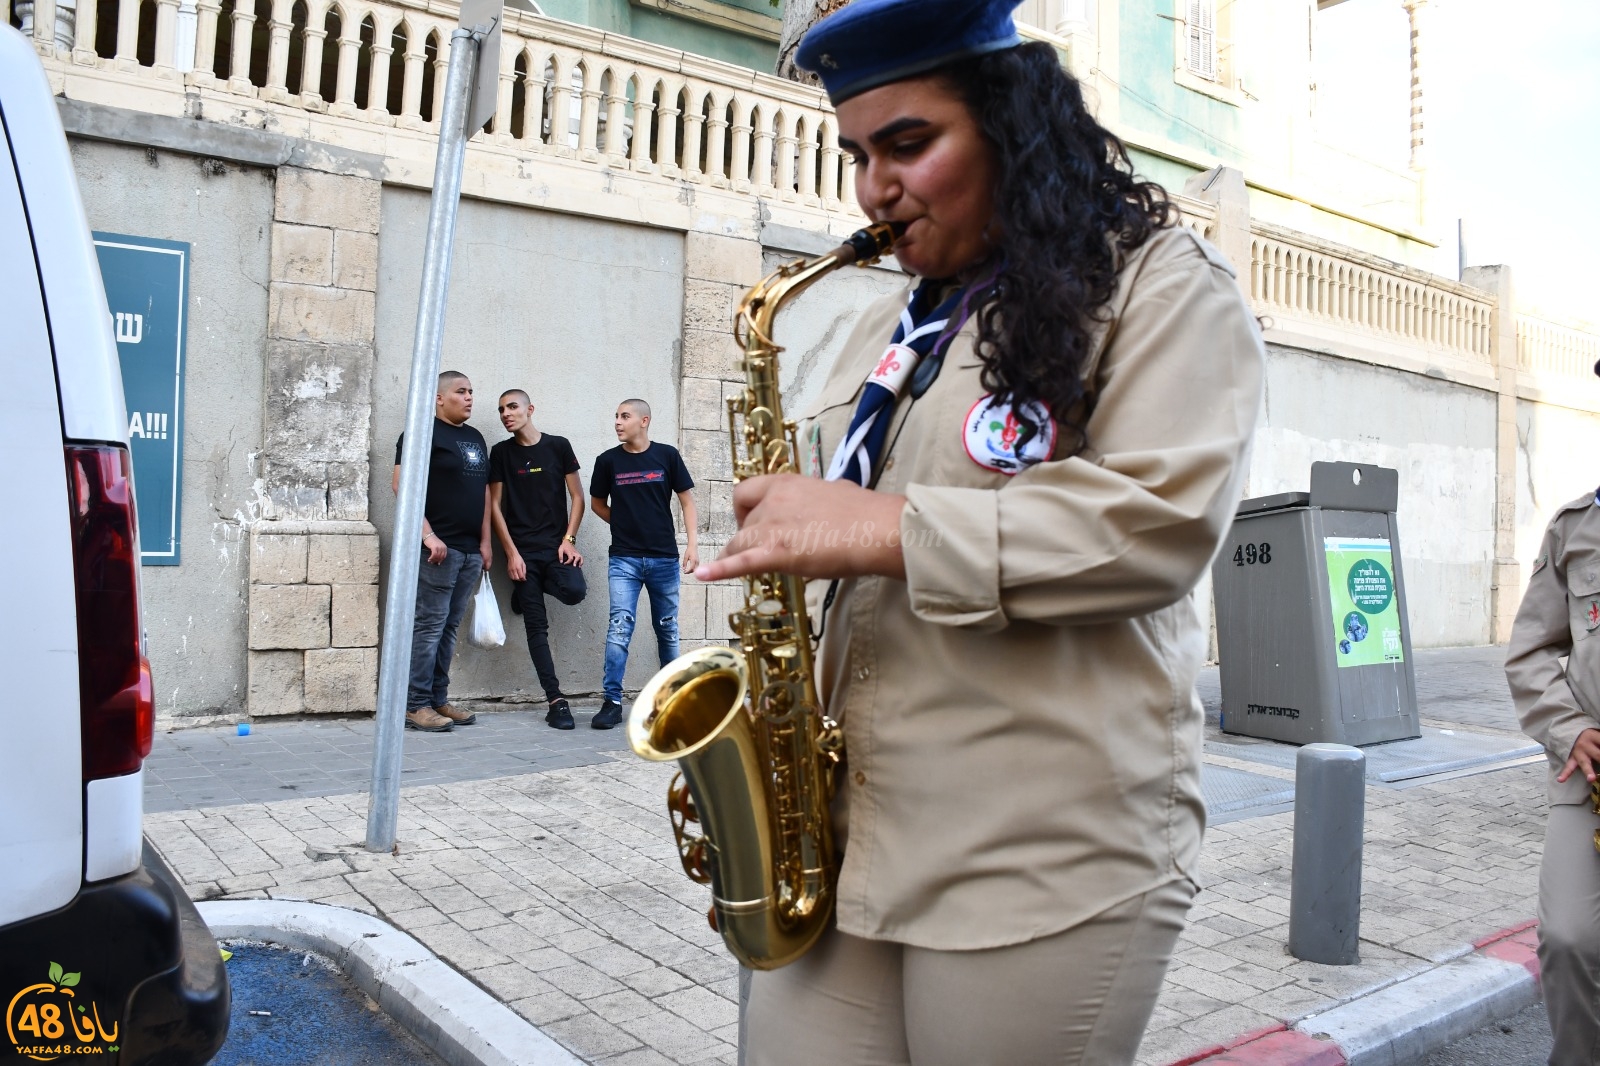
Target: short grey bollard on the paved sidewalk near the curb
[(1326, 888)]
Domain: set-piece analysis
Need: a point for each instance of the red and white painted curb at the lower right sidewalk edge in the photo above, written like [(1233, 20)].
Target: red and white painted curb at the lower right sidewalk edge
[(1401, 1022)]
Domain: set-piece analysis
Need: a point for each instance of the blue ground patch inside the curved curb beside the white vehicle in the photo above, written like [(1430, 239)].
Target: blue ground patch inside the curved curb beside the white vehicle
[(319, 1017)]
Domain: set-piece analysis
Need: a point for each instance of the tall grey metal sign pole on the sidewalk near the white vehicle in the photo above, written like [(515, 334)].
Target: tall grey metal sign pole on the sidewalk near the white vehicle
[(394, 668)]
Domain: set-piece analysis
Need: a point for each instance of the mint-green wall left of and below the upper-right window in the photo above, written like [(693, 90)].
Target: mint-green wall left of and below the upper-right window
[(1154, 103)]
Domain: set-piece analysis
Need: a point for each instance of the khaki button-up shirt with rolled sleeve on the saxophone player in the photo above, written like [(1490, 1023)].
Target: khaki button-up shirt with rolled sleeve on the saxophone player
[(1022, 719)]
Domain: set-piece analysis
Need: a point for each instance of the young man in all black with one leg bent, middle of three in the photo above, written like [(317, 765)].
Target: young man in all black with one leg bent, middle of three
[(532, 478)]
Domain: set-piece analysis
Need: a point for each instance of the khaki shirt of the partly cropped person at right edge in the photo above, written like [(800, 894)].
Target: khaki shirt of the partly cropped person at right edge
[(1561, 617)]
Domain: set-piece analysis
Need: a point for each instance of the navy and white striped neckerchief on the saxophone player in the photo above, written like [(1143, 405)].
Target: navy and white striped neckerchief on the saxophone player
[(916, 337)]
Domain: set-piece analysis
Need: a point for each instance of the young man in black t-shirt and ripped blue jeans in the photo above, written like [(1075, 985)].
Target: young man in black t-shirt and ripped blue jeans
[(633, 489)]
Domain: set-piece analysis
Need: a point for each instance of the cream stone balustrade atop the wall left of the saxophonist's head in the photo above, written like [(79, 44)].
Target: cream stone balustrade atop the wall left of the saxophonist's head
[(564, 90)]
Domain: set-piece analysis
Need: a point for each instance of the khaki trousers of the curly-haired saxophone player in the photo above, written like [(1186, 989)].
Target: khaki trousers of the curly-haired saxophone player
[(1081, 998)]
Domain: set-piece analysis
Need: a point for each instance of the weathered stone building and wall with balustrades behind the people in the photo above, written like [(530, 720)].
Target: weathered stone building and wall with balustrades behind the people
[(623, 198)]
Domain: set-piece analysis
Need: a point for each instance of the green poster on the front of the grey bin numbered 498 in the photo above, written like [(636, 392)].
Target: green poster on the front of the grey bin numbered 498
[(1366, 607)]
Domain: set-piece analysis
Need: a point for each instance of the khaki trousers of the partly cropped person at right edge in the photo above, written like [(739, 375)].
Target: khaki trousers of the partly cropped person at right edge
[(1570, 934)]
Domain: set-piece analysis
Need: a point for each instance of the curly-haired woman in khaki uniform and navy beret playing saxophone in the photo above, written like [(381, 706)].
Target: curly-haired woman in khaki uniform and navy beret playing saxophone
[(1030, 457)]
